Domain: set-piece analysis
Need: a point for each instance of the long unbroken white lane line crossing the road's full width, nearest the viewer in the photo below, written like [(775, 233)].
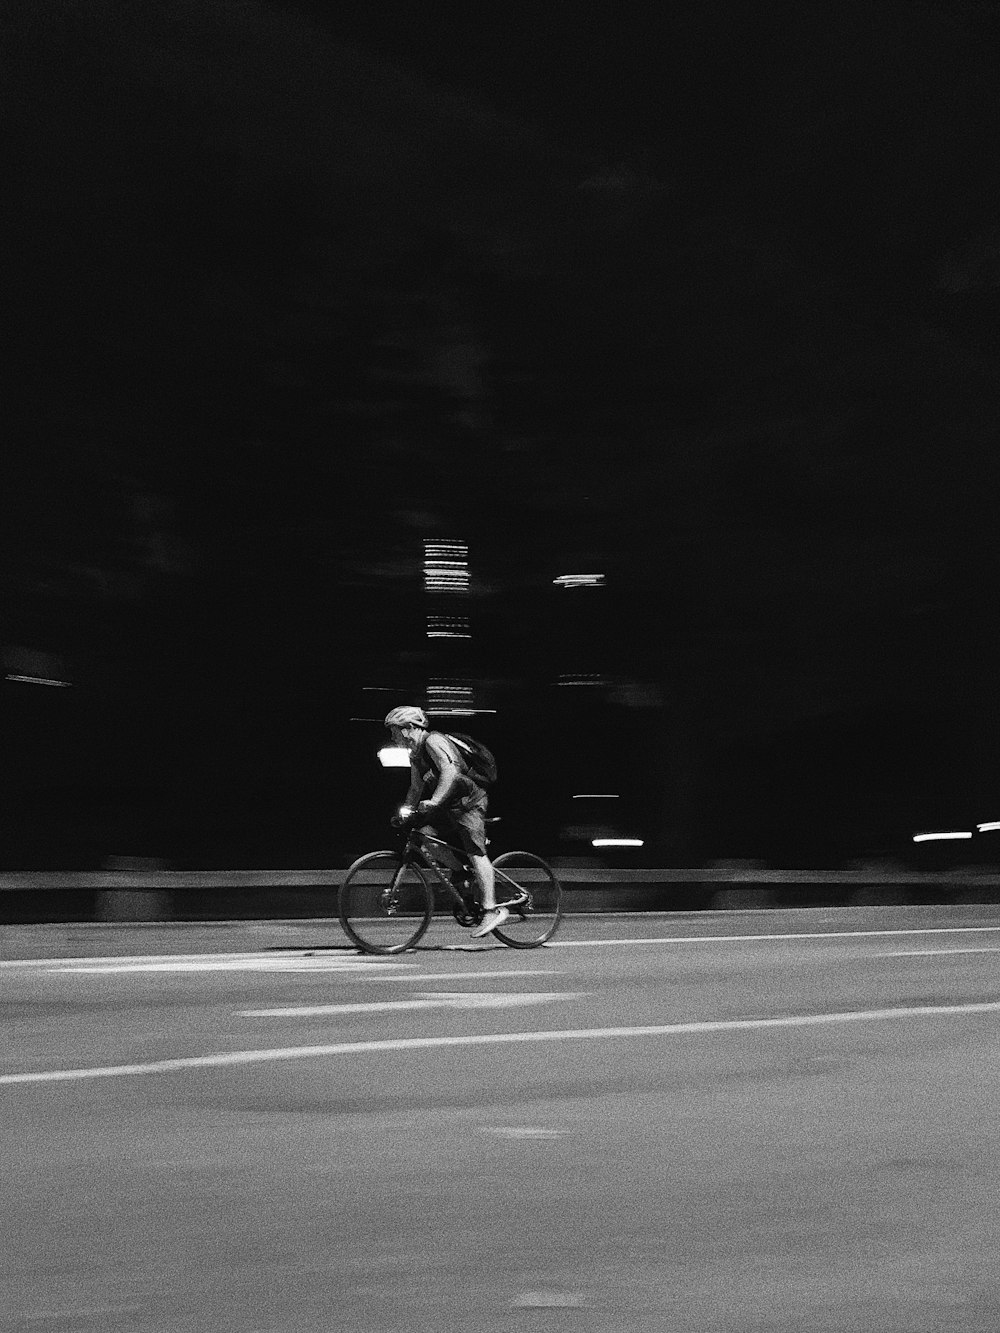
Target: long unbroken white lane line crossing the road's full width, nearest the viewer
[(495, 1039)]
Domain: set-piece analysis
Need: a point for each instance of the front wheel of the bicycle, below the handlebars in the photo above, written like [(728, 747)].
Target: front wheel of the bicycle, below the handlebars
[(386, 903)]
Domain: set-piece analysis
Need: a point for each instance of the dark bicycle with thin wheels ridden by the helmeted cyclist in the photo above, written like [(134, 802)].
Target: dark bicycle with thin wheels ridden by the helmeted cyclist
[(387, 899)]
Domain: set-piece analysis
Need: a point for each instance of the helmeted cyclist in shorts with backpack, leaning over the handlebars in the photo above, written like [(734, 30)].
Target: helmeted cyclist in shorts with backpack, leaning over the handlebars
[(457, 806)]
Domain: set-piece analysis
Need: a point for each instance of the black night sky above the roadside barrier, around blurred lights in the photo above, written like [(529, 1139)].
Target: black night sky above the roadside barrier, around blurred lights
[(710, 299)]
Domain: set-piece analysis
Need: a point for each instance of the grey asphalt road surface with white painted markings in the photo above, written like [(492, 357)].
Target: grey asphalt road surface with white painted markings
[(663, 1123)]
